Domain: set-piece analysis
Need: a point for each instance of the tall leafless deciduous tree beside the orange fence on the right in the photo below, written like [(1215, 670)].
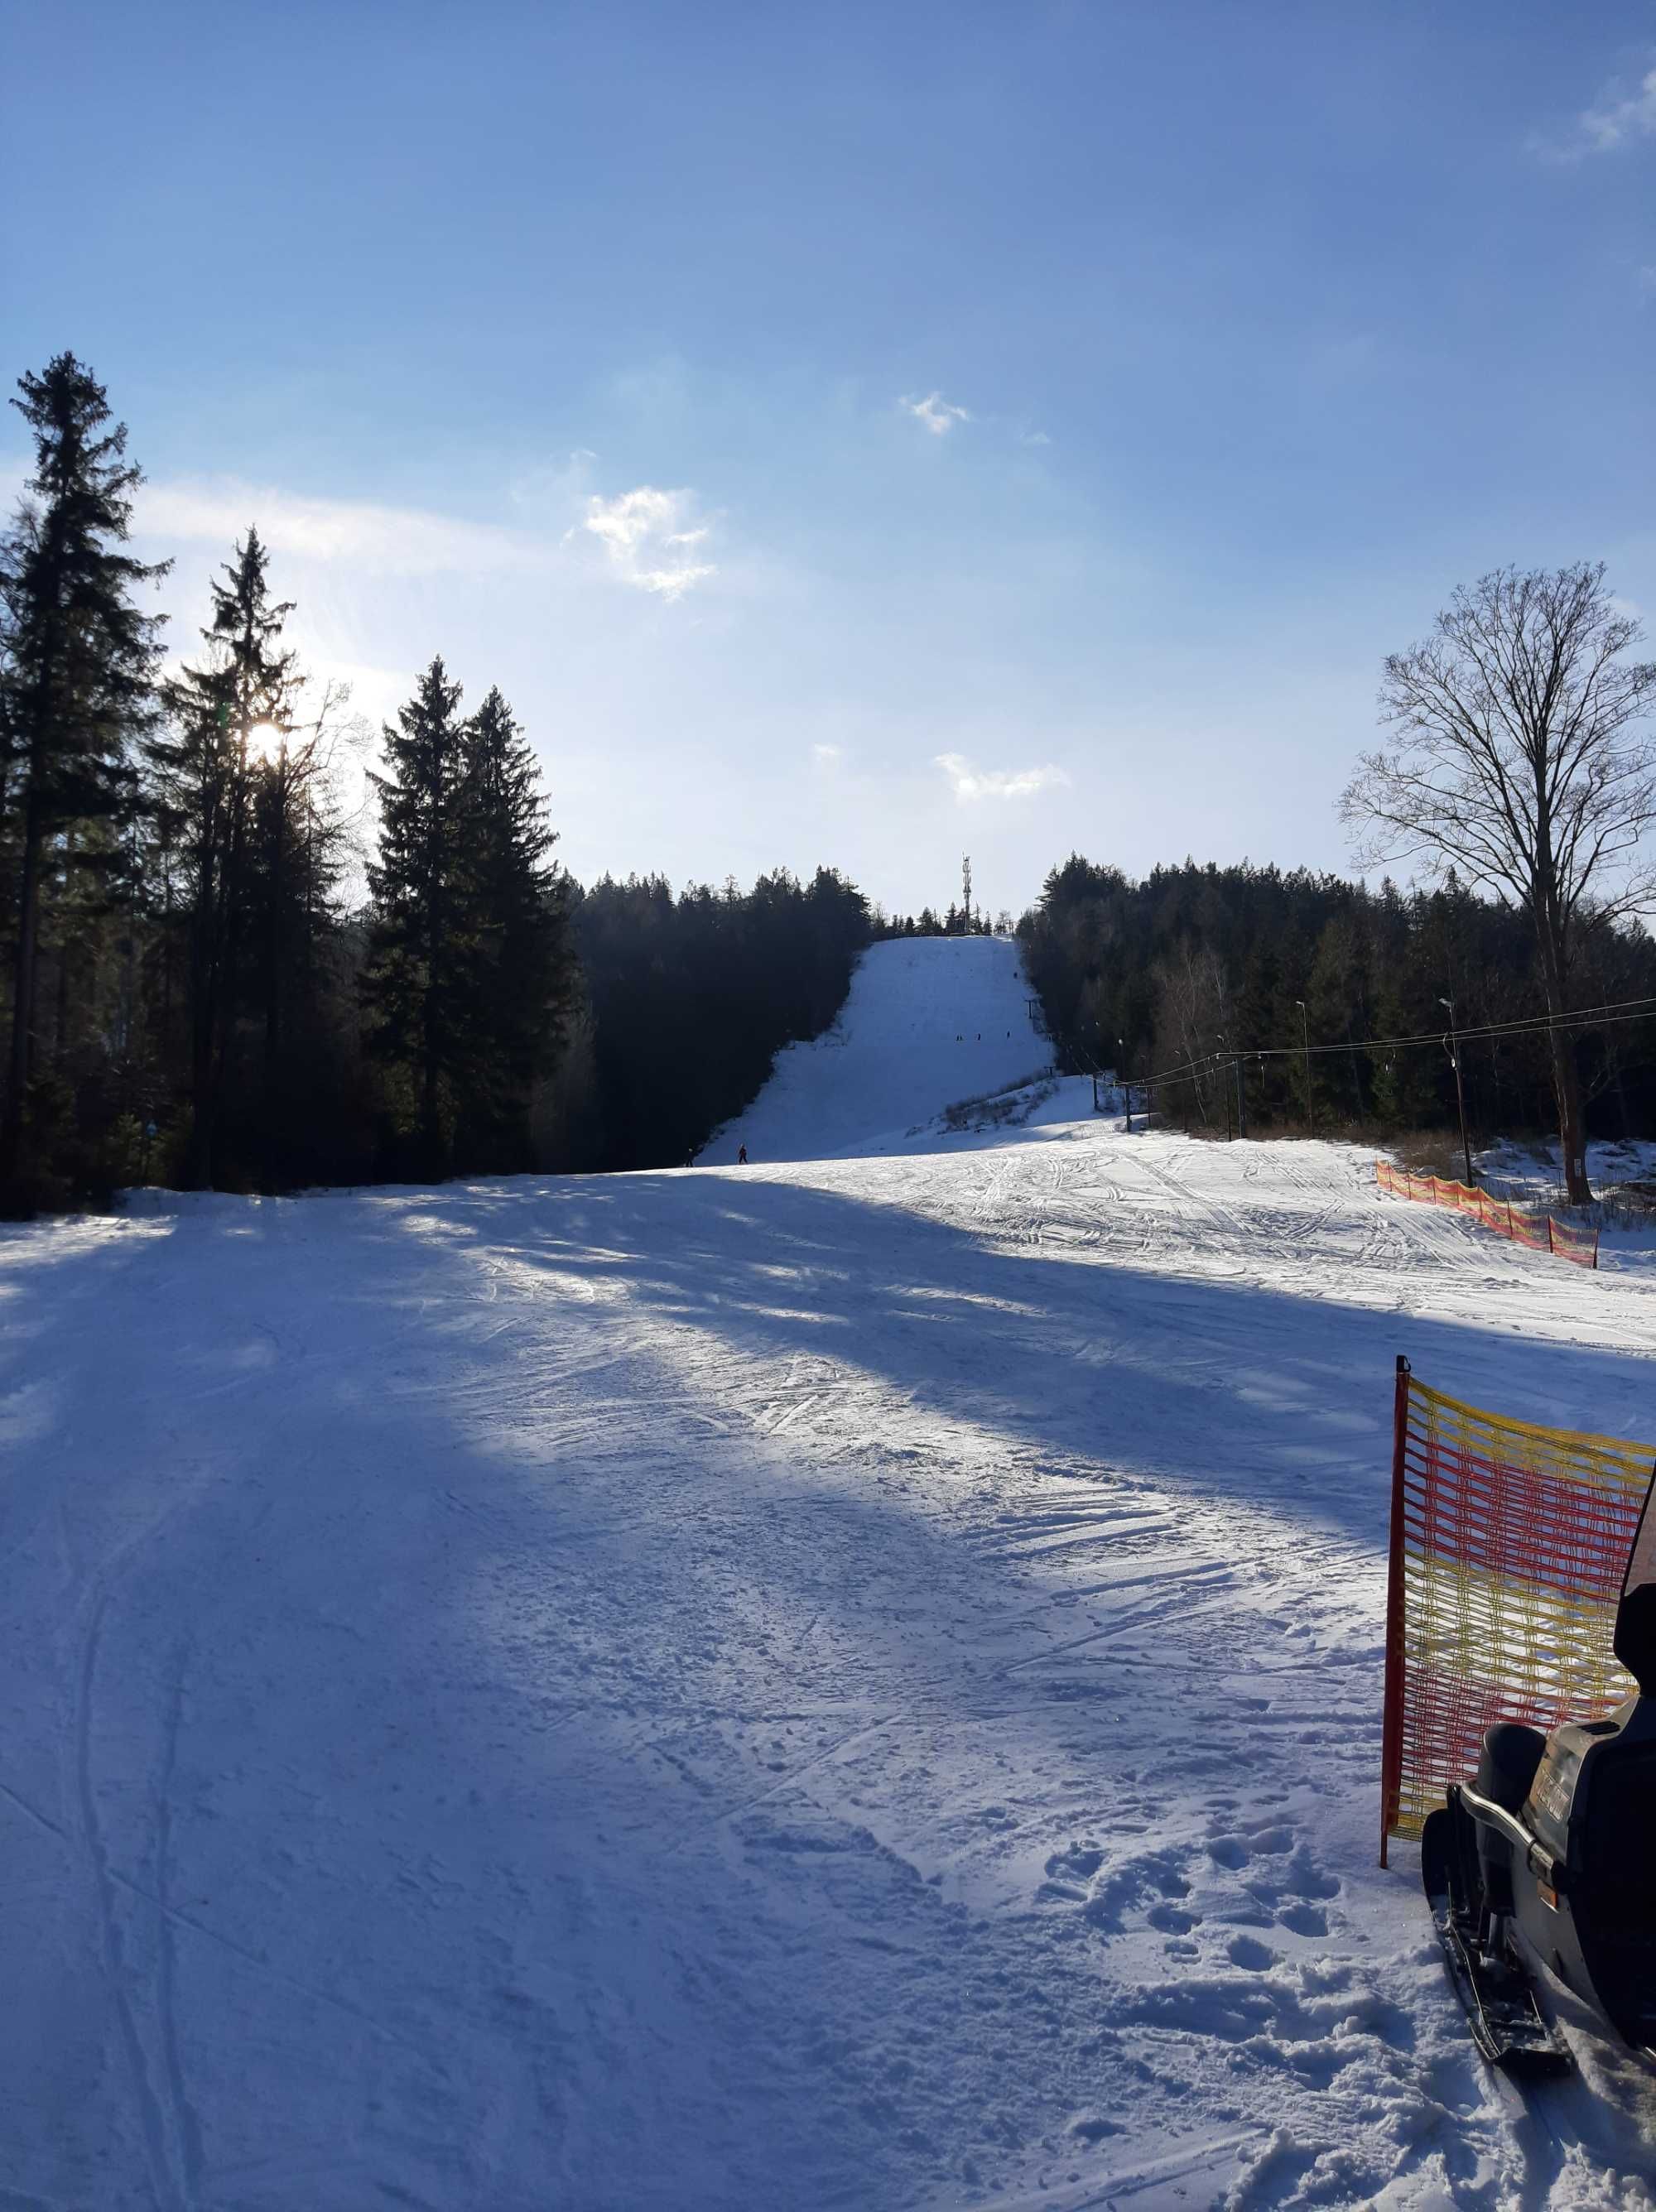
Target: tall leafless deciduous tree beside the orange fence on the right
[(1518, 764)]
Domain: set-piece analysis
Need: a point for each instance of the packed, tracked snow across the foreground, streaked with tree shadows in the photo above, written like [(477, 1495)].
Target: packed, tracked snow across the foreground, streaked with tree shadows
[(808, 1687)]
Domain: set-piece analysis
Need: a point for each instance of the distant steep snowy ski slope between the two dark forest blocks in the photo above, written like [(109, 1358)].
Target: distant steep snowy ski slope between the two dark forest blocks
[(927, 1023)]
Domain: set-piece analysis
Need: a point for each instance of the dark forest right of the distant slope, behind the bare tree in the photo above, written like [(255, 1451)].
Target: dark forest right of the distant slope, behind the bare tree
[(1204, 963)]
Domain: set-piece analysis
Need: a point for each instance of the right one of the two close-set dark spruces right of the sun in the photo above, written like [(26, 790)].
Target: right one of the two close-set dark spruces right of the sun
[(523, 952)]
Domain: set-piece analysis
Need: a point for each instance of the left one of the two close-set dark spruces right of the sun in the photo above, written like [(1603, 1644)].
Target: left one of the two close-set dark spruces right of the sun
[(423, 941)]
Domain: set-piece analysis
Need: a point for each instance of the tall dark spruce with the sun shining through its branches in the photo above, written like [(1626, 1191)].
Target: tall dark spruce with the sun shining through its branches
[(231, 718)]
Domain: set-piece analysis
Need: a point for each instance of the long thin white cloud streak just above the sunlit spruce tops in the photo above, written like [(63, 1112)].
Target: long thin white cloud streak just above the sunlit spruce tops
[(375, 541)]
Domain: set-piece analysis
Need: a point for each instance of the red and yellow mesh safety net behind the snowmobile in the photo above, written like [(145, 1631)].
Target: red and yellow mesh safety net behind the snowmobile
[(1509, 1550)]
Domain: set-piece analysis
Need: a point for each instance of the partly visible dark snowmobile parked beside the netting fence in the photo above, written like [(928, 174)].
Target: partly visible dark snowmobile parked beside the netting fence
[(1547, 1861)]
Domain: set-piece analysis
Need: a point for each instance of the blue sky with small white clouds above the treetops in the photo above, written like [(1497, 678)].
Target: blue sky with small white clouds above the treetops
[(874, 432)]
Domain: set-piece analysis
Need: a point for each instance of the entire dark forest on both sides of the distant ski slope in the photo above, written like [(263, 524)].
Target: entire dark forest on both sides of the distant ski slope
[(251, 946)]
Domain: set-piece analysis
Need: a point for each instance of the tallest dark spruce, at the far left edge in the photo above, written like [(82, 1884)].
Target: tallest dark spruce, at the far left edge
[(76, 689)]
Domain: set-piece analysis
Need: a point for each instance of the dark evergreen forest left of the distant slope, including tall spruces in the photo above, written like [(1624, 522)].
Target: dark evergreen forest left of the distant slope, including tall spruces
[(251, 946)]
